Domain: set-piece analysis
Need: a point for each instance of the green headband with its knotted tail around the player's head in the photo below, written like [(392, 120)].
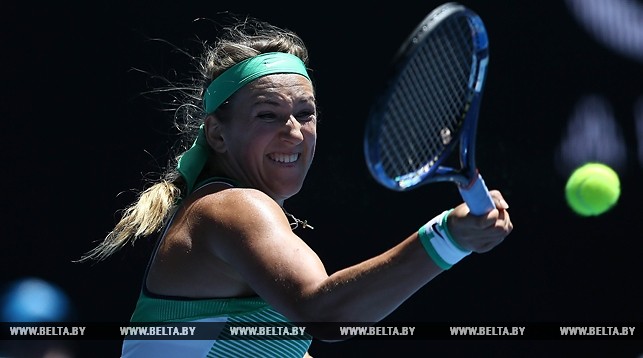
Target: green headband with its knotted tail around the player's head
[(193, 160)]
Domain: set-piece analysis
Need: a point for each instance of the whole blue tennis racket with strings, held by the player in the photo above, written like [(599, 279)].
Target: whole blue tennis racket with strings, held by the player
[(430, 107)]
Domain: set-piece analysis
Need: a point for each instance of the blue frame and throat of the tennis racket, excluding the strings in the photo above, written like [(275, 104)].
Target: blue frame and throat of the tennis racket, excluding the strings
[(470, 184)]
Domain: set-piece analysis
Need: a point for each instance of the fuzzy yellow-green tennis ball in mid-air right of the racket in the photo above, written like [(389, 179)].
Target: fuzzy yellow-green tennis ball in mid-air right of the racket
[(592, 189)]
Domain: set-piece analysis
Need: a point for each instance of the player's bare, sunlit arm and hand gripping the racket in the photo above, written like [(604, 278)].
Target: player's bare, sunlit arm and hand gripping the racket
[(249, 231)]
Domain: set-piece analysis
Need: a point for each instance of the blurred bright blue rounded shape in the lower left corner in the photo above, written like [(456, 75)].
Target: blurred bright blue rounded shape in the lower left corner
[(34, 300)]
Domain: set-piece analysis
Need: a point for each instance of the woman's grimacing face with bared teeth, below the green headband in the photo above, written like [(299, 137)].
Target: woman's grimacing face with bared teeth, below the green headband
[(271, 134)]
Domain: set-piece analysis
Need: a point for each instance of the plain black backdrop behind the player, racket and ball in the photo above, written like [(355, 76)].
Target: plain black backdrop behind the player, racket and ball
[(77, 131)]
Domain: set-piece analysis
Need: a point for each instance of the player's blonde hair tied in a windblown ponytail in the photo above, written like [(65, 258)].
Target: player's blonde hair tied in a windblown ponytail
[(148, 213)]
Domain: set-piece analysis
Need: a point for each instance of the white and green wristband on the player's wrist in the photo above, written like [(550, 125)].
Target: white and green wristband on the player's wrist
[(439, 244)]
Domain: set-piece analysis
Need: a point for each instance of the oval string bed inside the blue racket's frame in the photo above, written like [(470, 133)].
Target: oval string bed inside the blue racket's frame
[(428, 101)]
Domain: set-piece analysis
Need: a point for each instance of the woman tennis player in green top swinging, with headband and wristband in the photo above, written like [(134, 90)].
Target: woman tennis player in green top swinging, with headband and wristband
[(226, 251)]
